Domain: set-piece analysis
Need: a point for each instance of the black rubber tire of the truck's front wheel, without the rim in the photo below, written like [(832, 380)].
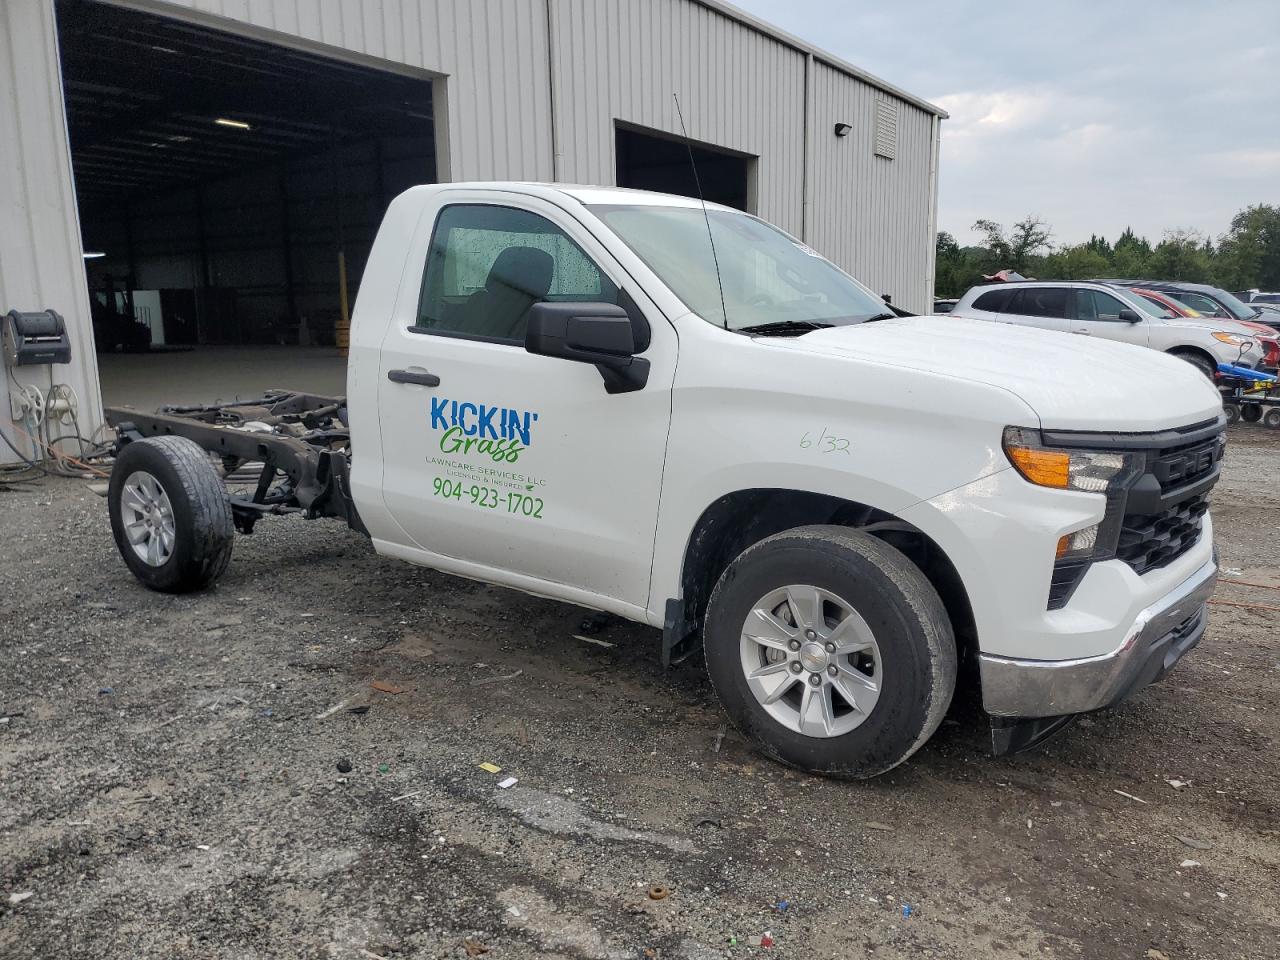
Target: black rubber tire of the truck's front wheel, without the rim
[(902, 609)]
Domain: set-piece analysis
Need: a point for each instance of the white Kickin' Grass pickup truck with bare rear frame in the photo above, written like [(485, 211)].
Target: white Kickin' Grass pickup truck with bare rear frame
[(565, 391)]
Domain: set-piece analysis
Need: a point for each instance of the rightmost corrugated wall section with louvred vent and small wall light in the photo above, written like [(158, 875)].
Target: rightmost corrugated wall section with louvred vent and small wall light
[(871, 216)]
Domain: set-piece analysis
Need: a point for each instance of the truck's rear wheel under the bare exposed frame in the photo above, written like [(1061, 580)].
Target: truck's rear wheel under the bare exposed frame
[(170, 514)]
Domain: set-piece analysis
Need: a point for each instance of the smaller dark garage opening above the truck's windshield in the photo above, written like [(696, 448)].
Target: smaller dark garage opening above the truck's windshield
[(661, 163)]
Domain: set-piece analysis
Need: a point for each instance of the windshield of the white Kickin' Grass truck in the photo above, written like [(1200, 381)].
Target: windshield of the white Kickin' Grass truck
[(770, 280)]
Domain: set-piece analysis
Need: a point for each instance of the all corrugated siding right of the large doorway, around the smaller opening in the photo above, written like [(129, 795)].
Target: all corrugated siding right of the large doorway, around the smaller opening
[(623, 61)]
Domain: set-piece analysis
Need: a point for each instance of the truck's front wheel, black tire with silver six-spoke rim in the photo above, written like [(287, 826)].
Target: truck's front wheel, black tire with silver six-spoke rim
[(831, 651)]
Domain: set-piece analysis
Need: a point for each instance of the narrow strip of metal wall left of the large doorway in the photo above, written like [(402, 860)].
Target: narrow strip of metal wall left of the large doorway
[(40, 257)]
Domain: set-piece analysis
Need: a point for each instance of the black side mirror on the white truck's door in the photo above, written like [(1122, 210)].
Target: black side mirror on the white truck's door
[(589, 333)]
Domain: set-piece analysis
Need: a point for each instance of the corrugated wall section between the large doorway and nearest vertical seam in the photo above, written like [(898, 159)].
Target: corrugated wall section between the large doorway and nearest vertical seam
[(493, 53)]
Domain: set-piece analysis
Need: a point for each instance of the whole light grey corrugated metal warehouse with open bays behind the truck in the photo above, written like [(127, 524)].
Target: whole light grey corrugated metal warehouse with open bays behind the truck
[(185, 177)]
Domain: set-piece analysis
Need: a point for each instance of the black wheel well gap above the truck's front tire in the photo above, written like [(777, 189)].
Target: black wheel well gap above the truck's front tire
[(744, 518)]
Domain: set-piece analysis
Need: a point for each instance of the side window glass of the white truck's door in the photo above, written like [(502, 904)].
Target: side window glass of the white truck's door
[(488, 266)]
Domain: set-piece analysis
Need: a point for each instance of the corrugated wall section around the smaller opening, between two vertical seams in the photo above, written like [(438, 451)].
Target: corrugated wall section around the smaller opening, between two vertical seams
[(738, 88)]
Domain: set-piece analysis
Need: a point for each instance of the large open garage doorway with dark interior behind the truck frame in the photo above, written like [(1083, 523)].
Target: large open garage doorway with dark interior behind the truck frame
[(230, 191)]
